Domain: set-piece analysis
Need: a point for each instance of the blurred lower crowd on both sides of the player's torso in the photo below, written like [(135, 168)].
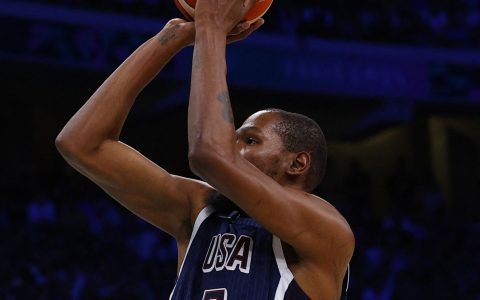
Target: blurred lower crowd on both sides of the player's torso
[(74, 242)]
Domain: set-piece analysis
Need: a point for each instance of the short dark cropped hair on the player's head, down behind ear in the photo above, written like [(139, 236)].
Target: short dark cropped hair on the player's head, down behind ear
[(300, 133)]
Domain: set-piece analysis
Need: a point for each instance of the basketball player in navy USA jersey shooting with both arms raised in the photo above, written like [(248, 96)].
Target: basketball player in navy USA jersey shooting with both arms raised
[(251, 229)]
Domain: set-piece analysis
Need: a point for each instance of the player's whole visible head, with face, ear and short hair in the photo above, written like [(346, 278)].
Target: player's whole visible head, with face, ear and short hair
[(286, 146)]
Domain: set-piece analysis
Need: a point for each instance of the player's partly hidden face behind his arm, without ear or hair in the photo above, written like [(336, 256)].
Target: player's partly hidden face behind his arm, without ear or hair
[(258, 143)]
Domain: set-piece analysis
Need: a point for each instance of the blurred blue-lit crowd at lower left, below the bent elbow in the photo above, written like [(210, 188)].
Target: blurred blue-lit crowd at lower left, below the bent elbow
[(74, 242)]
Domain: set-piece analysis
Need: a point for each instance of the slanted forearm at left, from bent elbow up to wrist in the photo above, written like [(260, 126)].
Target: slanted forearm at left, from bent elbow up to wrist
[(102, 117)]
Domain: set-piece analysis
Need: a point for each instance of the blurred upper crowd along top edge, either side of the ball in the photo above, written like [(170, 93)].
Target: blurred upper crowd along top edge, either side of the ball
[(445, 23)]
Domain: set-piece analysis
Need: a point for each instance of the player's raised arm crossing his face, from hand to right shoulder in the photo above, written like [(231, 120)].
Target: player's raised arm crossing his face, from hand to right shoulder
[(319, 235)]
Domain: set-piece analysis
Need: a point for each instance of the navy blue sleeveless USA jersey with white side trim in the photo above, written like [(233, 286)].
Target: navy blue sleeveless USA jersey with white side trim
[(233, 257)]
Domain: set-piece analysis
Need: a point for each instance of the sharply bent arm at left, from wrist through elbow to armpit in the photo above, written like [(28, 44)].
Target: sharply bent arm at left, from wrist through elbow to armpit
[(90, 140)]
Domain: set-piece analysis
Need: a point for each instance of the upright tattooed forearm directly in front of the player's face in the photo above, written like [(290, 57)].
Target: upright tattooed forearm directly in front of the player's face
[(210, 119)]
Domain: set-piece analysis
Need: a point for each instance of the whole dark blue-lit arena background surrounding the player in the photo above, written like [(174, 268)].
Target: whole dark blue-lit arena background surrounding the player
[(394, 84)]
